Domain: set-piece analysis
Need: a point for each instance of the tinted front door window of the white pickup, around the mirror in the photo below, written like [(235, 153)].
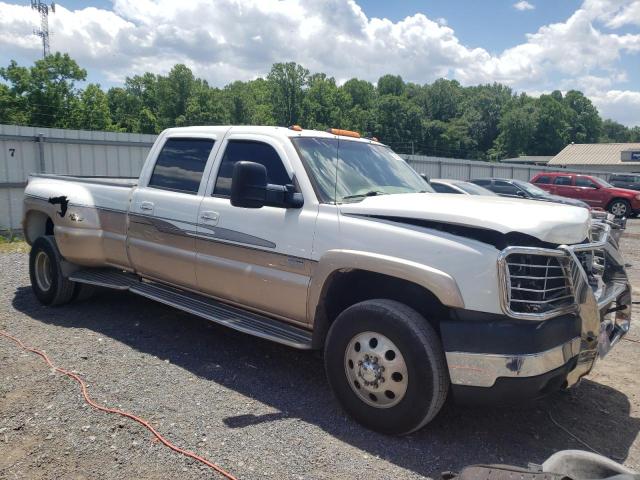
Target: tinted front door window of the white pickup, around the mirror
[(245, 150)]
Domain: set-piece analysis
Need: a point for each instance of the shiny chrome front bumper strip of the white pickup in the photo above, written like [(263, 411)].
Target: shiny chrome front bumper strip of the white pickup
[(483, 369)]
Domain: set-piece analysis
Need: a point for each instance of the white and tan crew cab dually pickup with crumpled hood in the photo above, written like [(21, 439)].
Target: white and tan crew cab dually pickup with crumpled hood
[(323, 240)]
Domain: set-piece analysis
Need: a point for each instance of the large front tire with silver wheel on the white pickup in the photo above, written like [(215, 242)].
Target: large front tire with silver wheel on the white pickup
[(386, 366)]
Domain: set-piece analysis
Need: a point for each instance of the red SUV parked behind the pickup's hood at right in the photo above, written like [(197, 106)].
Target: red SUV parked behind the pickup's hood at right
[(593, 190)]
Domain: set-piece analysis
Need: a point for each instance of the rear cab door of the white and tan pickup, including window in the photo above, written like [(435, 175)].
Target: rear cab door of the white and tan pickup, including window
[(164, 211)]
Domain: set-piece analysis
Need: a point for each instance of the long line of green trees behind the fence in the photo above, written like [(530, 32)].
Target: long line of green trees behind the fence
[(442, 118)]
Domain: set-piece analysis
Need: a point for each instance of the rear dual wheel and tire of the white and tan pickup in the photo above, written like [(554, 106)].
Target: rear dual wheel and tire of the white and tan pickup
[(49, 285)]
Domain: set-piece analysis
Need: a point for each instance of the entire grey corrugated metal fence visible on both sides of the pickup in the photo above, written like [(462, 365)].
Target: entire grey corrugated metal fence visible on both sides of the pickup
[(25, 150)]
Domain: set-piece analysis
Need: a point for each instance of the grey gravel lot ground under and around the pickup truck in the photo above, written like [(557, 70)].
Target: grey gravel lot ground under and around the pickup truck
[(260, 410)]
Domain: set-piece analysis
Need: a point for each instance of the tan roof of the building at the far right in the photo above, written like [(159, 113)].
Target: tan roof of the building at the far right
[(595, 154)]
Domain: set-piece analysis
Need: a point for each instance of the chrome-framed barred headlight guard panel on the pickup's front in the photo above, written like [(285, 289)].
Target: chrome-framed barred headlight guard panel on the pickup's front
[(538, 284)]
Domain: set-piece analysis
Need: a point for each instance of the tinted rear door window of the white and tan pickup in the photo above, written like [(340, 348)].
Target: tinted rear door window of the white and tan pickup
[(180, 164)]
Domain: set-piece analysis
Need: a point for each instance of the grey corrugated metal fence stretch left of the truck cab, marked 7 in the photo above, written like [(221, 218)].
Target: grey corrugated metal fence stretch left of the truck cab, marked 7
[(25, 150)]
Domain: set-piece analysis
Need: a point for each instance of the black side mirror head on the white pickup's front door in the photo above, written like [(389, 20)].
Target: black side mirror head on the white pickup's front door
[(249, 185)]
